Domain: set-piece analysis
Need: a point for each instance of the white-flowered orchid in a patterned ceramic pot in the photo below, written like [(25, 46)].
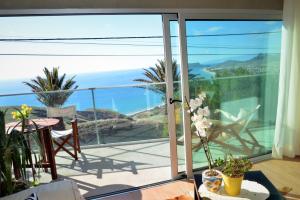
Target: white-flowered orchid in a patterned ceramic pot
[(211, 178)]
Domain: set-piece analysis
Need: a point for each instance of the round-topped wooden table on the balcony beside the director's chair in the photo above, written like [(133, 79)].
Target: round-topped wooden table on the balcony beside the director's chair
[(44, 128)]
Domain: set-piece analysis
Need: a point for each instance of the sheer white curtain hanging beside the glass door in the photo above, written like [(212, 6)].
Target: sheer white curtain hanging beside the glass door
[(287, 129)]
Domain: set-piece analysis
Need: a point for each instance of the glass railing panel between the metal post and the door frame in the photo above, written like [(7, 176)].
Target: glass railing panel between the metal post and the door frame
[(128, 114)]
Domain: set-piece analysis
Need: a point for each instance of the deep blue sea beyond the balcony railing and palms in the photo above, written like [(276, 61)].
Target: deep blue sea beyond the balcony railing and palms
[(125, 100)]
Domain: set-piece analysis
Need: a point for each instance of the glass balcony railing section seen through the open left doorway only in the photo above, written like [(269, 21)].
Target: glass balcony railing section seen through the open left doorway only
[(106, 114)]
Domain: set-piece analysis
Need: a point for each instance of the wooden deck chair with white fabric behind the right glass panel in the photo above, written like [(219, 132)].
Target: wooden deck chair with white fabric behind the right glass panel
[(237, 126)]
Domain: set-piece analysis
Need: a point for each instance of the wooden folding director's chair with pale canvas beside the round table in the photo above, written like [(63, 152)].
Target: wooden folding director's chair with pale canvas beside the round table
[(62, 136)]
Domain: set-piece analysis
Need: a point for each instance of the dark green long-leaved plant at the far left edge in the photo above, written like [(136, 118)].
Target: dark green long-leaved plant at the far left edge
[(15, 156)]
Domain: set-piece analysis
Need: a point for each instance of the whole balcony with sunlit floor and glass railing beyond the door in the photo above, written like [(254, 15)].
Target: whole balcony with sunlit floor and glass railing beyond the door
[(124, 134)]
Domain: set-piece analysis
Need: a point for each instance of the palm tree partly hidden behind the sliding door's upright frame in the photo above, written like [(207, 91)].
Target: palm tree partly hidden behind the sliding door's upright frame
[(157, 74)]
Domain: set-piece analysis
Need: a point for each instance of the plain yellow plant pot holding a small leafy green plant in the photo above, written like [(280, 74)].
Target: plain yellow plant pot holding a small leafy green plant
[(232, 185)]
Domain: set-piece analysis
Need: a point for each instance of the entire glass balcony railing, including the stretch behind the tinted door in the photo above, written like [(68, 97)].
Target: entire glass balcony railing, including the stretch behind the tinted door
[(129, 113)]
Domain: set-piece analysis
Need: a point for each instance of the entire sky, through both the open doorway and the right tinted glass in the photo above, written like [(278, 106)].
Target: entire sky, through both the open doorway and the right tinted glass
[(24, 67)]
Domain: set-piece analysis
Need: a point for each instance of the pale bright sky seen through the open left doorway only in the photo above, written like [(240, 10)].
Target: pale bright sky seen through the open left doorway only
[(16, 67)]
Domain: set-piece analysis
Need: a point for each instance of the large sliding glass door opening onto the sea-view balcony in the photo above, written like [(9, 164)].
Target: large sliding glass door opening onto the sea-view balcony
[(134, 78)]
